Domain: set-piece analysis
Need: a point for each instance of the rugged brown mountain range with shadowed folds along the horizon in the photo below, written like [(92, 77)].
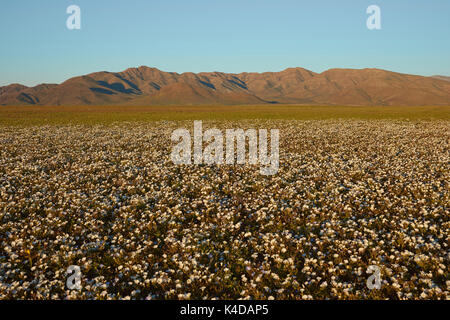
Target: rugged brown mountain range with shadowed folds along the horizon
[(150, 86)]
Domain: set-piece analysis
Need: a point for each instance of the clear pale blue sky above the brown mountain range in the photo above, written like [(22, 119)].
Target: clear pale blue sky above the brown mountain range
[(219, 35)]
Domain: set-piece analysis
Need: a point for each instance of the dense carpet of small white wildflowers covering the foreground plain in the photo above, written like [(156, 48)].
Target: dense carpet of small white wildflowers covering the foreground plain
[(348, 194)]
